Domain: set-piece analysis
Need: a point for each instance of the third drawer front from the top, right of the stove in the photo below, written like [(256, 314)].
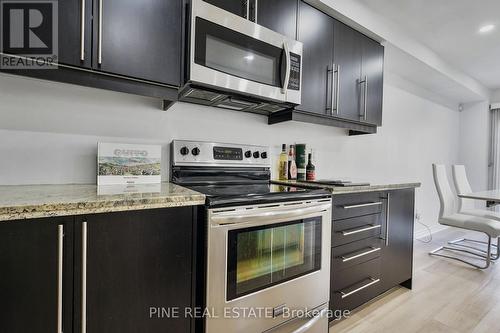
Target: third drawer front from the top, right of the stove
[(355, 253)]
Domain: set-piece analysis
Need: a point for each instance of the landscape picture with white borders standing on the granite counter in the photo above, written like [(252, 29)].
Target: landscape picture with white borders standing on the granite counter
[(119, 163)]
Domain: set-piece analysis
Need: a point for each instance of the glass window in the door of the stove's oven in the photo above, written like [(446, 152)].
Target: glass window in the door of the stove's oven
[(260, 257)]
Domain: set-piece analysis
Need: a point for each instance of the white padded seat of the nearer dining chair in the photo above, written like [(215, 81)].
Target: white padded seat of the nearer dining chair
[(475, 223)]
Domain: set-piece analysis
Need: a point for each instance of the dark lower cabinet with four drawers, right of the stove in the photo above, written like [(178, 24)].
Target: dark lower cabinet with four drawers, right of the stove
[(372, 247)]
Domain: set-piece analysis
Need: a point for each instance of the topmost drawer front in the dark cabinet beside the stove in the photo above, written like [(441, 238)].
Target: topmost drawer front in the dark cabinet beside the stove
[(353, 205)]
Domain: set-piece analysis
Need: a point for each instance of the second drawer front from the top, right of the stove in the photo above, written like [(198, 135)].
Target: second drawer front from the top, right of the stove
[(357, 228)]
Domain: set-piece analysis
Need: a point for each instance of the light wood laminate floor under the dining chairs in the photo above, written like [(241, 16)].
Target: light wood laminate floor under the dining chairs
[(447, 296)]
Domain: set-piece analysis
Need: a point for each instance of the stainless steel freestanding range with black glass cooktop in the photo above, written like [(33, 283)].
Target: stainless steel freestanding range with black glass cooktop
[(268, 246)]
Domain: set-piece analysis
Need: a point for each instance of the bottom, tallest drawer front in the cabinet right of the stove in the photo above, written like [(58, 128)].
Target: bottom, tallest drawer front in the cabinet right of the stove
[(355, 286)]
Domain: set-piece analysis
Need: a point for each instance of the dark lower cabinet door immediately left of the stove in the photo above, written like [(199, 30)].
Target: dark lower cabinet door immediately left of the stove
[(136, 262)]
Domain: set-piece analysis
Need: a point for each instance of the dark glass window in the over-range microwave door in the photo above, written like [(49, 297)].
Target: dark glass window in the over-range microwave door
[(236, 54)]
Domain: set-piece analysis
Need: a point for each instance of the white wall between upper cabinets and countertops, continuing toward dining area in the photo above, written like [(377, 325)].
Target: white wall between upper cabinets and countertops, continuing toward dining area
[(49, 131)]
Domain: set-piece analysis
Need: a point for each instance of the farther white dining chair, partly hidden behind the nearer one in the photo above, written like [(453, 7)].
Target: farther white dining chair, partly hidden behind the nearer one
[(468, 207)]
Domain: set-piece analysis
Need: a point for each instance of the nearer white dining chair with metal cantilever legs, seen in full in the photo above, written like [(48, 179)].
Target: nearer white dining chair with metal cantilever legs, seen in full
[(449, 216)]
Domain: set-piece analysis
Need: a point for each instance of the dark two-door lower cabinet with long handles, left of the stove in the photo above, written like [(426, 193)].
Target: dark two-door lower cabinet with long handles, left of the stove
[(139, 267)]
